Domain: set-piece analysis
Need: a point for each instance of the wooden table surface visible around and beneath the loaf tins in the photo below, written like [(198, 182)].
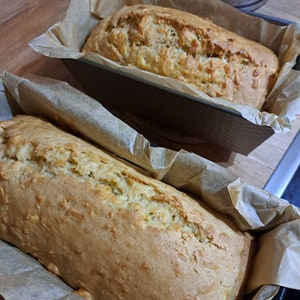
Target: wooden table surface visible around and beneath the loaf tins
[(20, 21)]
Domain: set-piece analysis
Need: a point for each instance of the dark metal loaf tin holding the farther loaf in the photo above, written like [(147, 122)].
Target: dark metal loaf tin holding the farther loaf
[(188, 115)]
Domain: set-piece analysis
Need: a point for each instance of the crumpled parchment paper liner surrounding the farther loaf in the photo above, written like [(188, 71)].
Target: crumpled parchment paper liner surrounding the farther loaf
[(66, 38)]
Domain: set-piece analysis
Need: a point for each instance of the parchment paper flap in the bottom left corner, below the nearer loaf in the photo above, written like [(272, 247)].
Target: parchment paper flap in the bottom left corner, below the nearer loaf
[(32, 278)]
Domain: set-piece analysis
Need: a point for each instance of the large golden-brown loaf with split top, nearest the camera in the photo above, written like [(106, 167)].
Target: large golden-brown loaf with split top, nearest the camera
[(106, 228)]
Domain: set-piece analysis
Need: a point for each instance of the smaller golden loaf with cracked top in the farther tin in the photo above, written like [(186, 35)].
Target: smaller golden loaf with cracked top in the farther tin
[(186, 47)]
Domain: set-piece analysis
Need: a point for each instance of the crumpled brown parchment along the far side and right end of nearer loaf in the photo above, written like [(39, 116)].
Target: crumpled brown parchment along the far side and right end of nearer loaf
[(274, 222)]
